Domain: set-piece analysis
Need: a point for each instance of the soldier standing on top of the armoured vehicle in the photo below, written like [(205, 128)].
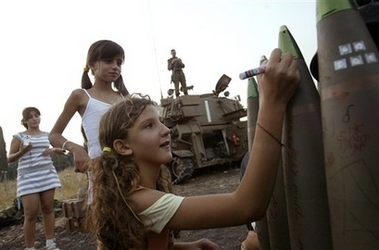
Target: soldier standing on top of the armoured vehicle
[(176, 65)]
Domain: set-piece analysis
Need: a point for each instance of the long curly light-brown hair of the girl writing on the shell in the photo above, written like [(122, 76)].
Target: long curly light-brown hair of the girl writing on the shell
[(115, 177)]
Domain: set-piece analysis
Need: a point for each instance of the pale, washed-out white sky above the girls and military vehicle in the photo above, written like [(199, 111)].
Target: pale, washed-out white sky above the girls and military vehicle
[(44, 44)]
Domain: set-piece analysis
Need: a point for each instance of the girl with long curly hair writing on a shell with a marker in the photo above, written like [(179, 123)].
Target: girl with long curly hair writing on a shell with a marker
[(134, 207)]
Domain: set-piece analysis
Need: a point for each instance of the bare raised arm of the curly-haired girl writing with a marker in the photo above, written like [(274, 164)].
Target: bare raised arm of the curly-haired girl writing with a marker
[(250, 201)]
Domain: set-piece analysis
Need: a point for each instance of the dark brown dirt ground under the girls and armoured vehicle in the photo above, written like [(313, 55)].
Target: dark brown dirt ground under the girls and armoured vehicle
[(205, 181)]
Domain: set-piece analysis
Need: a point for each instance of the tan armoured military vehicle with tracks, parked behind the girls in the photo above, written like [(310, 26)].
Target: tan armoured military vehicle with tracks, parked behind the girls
[(206, 130)]
